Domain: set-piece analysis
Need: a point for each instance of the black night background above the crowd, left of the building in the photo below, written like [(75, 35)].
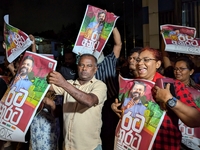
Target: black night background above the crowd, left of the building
[(61, 19)]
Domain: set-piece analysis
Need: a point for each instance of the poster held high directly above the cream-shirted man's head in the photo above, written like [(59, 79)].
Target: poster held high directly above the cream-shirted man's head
[(95, 30)]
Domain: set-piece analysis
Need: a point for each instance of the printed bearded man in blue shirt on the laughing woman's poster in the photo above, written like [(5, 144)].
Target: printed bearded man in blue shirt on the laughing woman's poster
[(133, 103)]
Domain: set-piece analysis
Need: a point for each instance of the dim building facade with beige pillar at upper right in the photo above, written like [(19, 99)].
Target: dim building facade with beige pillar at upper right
[(159, 12)]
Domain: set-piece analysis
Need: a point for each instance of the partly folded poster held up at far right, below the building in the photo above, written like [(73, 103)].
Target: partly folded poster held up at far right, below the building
[(180, 39)]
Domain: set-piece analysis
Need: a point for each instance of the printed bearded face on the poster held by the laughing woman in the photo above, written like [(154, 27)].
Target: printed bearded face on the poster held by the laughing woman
[(137, 91)]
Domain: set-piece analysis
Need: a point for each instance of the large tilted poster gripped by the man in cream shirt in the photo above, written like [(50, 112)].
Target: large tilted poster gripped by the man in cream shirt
[(24, 95)]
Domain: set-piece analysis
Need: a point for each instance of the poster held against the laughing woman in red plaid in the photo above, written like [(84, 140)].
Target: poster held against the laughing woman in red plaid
[(141, 118)]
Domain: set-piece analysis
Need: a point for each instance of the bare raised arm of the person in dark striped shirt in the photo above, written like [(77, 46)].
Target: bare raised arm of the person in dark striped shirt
[(117, 42)]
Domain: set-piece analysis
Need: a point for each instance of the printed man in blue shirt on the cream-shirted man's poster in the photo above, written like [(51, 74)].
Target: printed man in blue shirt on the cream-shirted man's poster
[(21, 80)]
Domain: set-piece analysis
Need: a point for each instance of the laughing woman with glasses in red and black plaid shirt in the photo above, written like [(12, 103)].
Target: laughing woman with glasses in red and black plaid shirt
[(180, 107)]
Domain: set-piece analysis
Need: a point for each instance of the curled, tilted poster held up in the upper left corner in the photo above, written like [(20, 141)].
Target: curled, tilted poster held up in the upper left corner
[(16, 40)]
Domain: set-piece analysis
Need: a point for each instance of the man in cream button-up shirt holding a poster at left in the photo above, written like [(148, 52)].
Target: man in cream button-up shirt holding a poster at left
[(82, 105)]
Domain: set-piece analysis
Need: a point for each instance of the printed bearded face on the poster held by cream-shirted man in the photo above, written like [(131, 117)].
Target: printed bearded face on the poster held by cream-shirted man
[(26, 67)]
